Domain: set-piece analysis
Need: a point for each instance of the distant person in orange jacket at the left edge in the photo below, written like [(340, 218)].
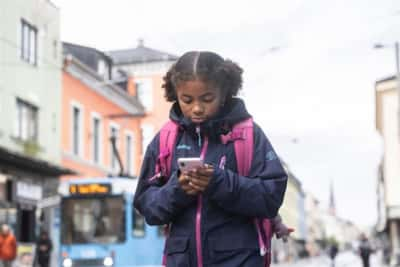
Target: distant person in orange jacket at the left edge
[(8, 246)]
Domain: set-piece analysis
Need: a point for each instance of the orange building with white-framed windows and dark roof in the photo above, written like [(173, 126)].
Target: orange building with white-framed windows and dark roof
[(93, 111)]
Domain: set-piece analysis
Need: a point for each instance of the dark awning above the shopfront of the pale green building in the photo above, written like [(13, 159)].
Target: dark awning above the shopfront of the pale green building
[(20, 161)]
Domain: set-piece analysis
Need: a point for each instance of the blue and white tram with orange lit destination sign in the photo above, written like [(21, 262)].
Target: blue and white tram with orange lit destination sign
[(100, 227)]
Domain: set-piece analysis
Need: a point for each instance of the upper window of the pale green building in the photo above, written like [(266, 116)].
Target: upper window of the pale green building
[(28, 43)]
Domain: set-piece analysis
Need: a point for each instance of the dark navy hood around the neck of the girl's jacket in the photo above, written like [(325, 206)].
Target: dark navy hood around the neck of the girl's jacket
[(221, 123)]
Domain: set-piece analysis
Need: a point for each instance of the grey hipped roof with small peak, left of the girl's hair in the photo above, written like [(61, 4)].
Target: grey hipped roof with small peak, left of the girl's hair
[(140, 54)]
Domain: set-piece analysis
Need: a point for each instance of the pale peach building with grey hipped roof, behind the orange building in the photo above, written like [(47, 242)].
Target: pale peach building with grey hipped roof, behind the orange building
[(147, 67)]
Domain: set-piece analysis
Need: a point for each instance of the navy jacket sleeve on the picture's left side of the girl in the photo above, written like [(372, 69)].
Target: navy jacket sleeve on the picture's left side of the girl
[(159, 200)]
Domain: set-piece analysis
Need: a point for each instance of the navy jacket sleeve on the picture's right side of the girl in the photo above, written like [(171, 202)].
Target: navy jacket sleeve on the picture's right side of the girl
[(259, 195)]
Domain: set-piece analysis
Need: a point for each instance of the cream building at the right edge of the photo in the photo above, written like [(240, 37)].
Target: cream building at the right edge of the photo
[(388, 182)]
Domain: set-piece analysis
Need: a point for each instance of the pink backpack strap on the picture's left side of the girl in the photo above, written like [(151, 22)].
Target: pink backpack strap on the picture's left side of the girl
[(167, 139)]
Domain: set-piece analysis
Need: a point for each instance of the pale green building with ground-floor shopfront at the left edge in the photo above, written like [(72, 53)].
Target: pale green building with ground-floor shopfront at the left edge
[(30, 116)]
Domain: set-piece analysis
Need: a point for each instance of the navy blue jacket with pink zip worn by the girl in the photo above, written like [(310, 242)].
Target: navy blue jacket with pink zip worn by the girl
[(230, 202)]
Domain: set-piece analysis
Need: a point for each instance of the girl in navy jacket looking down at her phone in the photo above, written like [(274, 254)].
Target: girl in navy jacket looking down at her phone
[(210, 210)]
